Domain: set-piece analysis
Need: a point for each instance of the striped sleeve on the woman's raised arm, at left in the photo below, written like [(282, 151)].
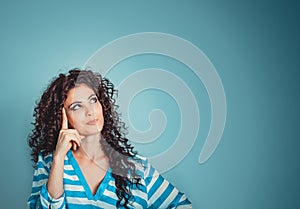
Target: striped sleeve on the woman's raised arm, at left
[(40, 197)]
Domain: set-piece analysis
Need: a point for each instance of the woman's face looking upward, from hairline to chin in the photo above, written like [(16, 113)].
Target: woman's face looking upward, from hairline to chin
[(84, 111)]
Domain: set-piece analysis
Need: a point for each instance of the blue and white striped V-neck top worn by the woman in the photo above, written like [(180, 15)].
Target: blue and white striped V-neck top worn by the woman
[(155, 191)]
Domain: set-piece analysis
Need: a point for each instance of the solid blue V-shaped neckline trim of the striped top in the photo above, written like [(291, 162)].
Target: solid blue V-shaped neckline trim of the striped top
[(87, 189)]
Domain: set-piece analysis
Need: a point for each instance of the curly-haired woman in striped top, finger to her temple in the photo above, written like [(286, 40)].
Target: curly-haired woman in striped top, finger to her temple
[(82, 157)]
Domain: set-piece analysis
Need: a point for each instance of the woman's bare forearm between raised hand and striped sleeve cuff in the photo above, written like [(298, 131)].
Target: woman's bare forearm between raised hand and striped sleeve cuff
[(55, 181)]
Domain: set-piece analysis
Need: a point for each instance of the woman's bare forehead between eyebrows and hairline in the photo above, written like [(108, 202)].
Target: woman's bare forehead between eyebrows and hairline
[(80, 92)]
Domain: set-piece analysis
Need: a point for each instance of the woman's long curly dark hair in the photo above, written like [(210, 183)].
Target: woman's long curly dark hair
[(48, 120)]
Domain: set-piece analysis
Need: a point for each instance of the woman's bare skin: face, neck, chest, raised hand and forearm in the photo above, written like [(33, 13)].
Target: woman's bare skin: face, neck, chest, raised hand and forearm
[(83, 112)]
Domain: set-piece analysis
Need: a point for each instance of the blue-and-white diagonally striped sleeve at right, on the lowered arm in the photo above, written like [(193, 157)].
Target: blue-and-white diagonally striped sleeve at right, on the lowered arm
[(161, 193)]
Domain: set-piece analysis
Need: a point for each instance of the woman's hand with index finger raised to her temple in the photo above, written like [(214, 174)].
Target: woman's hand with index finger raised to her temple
[(67, 139)]
